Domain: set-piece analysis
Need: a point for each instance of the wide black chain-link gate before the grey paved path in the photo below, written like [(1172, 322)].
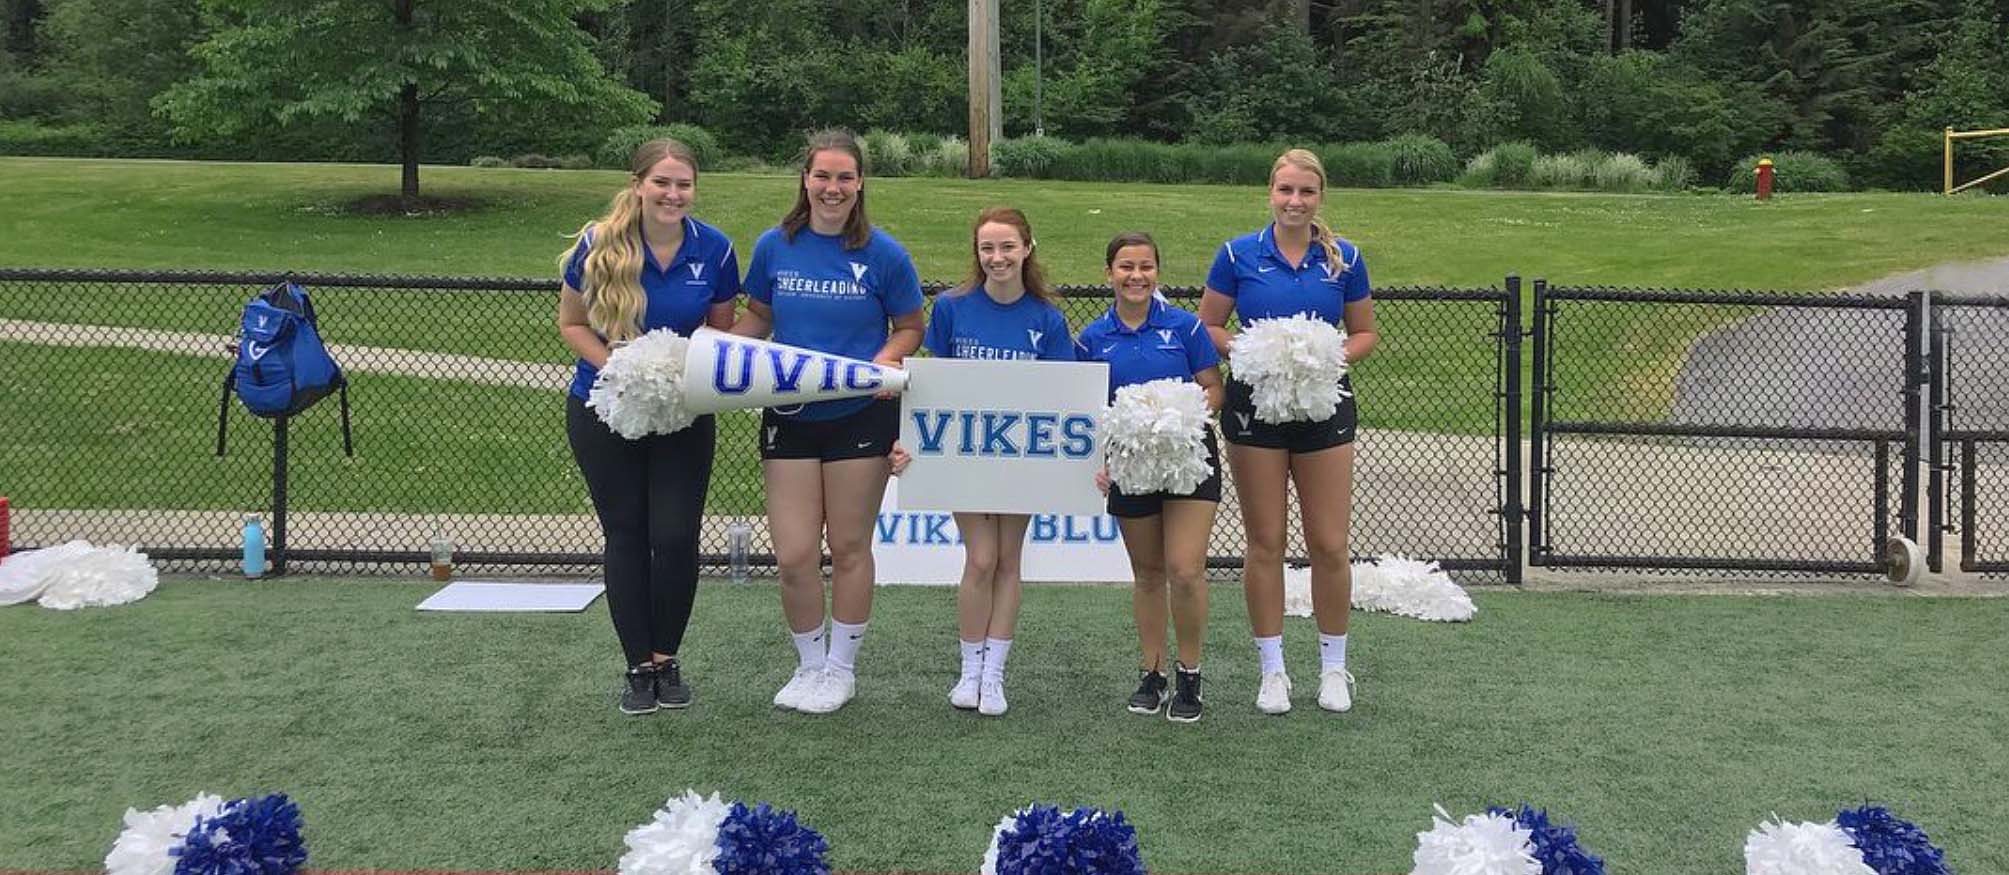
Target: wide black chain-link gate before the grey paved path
[(1723, 430)]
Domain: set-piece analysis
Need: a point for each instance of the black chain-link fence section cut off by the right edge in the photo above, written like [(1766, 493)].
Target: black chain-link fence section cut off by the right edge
[(1970, 390)]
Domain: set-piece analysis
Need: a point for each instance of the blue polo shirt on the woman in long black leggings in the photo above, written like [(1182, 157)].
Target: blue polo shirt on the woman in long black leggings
[(680, 294)]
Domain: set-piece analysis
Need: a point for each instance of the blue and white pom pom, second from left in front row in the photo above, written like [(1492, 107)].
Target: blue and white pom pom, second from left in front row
[(704, 836)]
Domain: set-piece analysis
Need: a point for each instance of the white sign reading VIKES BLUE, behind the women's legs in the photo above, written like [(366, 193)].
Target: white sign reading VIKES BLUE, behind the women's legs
[(925, 547)]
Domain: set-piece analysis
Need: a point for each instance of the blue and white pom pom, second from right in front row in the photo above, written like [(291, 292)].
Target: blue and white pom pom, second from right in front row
[(1502, 844)]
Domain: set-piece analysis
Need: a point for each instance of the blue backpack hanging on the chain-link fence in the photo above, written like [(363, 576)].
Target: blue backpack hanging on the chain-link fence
[(282, 364)]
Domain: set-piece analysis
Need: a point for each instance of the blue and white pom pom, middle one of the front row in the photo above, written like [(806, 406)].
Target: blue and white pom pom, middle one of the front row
[(1046, 842)]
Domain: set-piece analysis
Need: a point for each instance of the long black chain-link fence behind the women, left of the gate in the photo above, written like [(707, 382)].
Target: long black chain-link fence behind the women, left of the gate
[(114, 378)]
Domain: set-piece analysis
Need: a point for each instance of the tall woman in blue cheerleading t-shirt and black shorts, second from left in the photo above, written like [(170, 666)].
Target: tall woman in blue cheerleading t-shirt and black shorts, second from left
[(827, 280)]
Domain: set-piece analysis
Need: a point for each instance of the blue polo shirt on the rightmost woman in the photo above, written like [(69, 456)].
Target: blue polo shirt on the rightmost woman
[(1267, 286)]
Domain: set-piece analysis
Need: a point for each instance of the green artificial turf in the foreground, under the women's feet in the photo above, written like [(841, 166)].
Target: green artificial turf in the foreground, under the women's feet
[(1664, 725)]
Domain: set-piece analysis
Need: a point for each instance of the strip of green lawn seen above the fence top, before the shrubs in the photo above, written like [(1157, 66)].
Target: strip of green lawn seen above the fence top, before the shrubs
[(220, 216)]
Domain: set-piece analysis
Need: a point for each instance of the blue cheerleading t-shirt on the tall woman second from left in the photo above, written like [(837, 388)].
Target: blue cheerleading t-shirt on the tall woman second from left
[(833, 300)]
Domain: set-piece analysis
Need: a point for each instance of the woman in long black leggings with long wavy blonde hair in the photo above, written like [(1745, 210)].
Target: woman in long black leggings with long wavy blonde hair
[(640, 268)]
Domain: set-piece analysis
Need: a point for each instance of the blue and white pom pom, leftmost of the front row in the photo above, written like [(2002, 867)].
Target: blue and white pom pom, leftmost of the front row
[(208, 836)]
